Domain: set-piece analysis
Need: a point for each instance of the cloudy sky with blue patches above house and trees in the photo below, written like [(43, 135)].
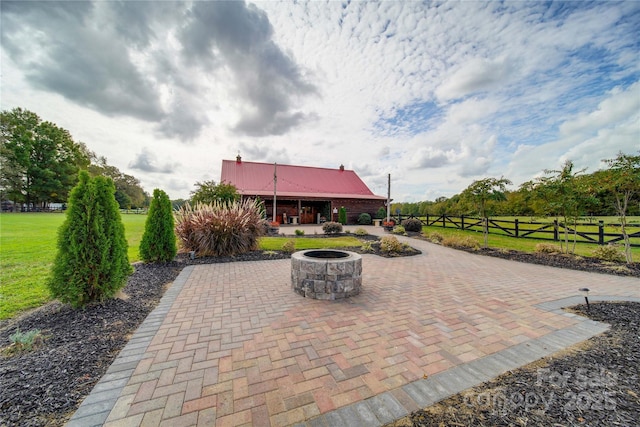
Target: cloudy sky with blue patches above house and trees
[(436, 94)]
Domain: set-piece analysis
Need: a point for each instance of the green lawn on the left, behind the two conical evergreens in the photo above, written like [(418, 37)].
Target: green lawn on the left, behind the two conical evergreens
[(27, 249)]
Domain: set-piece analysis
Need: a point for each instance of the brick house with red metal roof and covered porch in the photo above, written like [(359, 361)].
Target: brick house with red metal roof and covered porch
[(304, 195)]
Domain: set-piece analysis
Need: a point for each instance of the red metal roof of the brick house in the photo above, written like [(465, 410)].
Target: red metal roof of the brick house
[(256, 179)]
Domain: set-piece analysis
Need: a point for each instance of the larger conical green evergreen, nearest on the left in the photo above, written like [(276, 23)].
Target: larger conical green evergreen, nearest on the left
[(91, 263)]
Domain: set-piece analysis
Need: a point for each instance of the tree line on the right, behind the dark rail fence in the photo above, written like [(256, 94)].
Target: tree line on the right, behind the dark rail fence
[(565, 191)]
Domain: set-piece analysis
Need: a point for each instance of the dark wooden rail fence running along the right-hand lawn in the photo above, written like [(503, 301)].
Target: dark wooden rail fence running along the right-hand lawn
[(598, 233)]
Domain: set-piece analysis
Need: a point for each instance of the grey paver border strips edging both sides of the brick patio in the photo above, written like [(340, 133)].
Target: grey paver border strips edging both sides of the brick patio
[(374, 411)]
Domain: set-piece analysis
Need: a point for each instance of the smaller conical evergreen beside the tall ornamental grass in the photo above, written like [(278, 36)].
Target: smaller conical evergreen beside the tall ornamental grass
[(159, 240)]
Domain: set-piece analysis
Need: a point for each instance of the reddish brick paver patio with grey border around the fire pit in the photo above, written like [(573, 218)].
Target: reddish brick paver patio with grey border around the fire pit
[(231, 344)]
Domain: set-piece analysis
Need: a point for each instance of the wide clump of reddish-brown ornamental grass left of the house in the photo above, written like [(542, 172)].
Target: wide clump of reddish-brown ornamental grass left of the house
[(220, 228)]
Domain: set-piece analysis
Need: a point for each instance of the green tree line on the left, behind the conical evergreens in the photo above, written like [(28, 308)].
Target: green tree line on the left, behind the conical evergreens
[(41, 161)]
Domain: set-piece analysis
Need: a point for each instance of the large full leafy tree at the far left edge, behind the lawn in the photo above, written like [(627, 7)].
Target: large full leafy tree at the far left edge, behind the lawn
[(40, 161)]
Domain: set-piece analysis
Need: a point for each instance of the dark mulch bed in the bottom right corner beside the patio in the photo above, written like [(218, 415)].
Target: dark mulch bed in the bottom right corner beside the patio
[(594, 383)]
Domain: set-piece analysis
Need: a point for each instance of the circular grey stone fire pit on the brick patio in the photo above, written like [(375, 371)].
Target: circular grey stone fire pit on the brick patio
[(326, 273)]
